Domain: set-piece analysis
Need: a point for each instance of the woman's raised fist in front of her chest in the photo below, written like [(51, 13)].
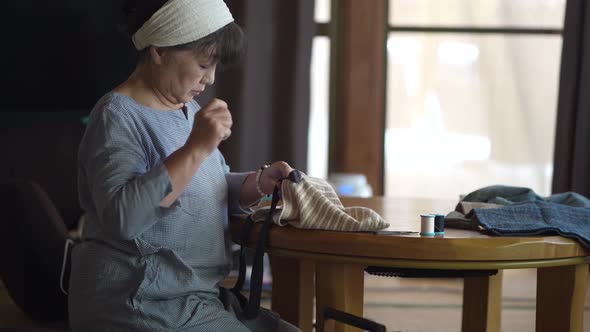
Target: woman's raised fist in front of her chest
[(211, 126)]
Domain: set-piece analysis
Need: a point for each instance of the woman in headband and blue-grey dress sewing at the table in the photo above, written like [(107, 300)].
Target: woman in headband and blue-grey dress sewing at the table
[(155, 188)]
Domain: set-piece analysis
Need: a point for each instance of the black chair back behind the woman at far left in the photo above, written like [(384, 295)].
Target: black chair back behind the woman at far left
[(32, 239)]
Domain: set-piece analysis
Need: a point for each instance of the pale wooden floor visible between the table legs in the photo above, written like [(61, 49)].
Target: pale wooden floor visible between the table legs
[(410, 305)]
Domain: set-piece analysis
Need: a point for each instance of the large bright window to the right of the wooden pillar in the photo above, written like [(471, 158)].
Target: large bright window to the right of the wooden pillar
[(471, 95)]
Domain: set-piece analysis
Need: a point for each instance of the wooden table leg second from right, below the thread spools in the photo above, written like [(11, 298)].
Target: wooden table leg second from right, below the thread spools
[(482, 303)]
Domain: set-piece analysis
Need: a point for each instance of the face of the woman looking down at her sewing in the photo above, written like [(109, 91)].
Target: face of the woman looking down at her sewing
[(180, 75)]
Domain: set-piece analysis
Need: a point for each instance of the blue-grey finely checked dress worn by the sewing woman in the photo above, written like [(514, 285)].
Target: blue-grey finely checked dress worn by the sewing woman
[(142, 267)]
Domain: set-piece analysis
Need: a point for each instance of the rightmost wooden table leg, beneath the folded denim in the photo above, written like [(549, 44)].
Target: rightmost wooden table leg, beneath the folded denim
[(560, 298)]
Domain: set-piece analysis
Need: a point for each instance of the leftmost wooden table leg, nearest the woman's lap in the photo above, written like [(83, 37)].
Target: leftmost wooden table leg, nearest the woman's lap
[(293, 291)]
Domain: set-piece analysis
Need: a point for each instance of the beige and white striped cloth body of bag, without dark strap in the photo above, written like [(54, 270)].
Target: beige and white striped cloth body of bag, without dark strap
[(313, 204)]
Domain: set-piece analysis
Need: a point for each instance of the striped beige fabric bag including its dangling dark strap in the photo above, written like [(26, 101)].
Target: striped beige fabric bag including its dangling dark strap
[(307, 203)]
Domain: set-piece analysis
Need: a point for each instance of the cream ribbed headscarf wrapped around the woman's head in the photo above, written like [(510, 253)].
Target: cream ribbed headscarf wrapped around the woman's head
[(182, 21)]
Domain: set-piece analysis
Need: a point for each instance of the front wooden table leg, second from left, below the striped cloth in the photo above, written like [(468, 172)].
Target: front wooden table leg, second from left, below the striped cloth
[(339, 286)]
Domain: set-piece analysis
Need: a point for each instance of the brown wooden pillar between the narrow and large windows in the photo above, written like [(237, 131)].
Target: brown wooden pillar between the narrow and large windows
[(358, 89)]
